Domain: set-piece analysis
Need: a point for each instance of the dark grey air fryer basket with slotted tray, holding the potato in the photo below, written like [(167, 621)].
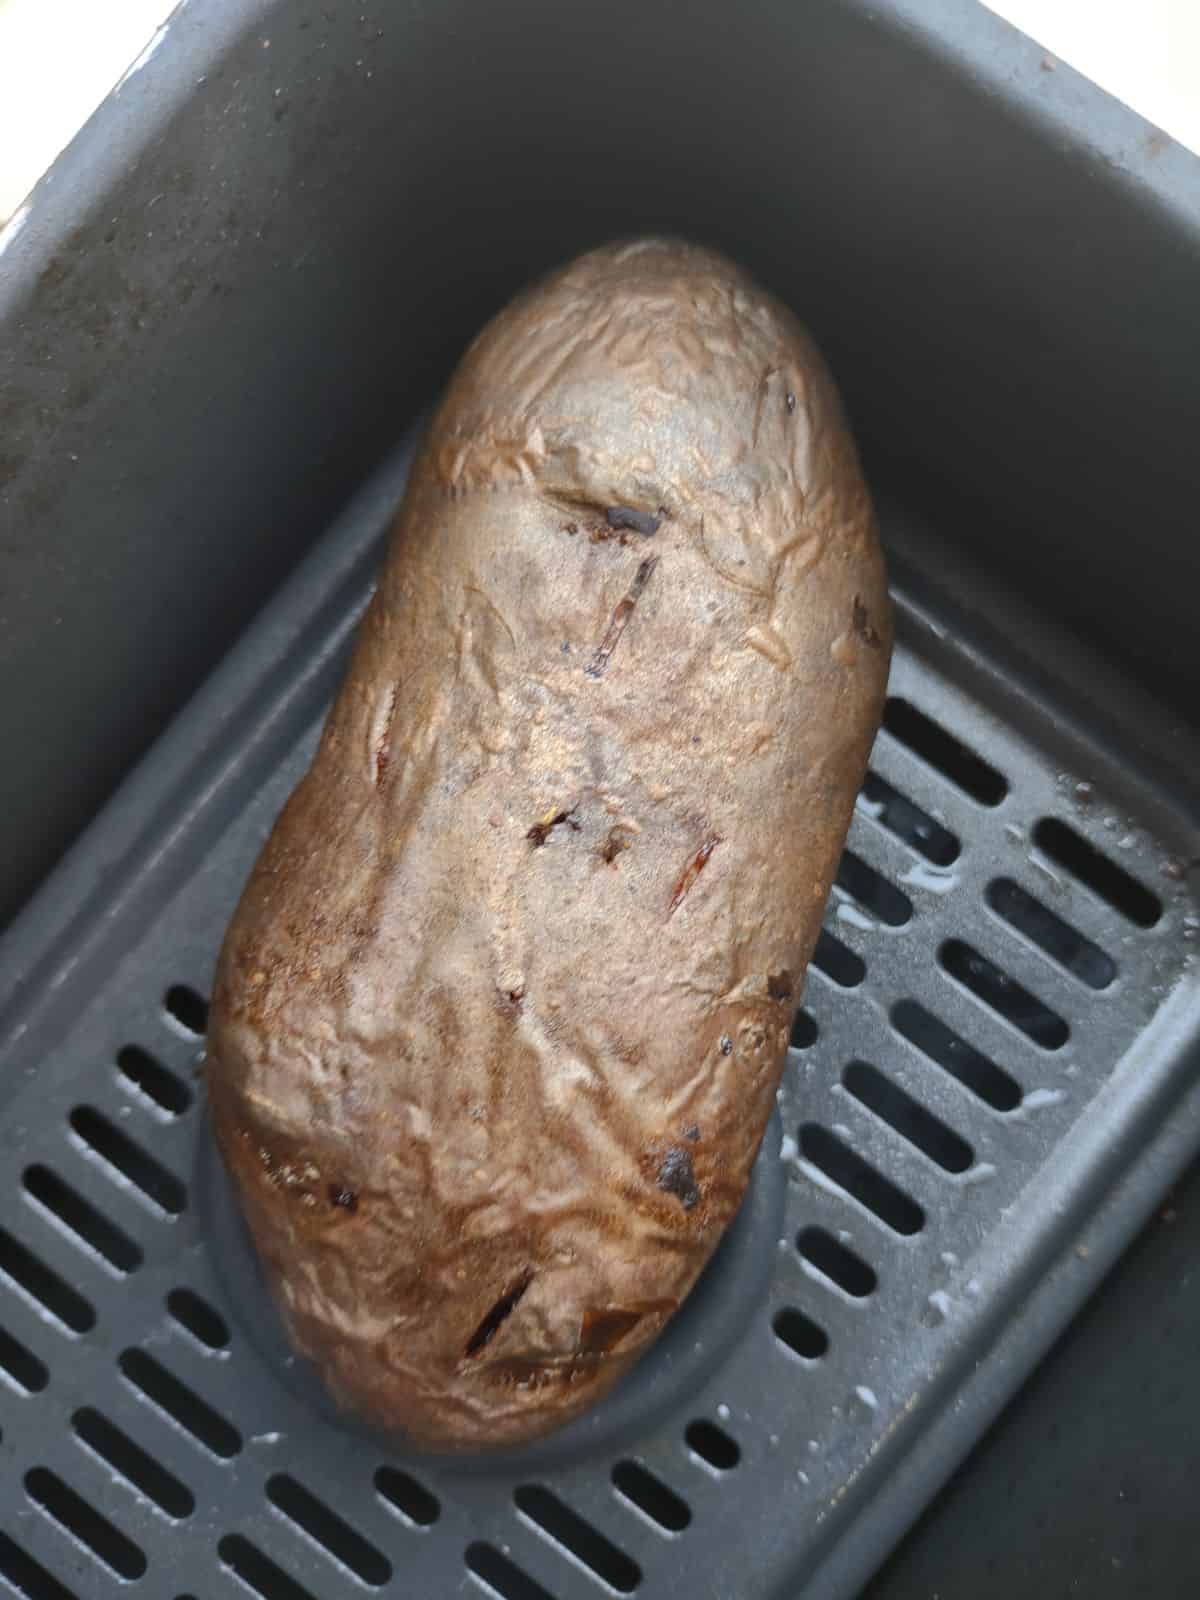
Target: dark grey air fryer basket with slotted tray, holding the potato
[(220, 314)]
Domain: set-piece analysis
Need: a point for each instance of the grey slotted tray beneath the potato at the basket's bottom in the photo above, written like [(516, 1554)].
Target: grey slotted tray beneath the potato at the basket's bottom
[(828, 1414)]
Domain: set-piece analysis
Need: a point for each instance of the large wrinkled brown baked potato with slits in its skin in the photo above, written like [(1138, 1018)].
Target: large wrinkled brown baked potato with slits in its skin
[(502, 1017)]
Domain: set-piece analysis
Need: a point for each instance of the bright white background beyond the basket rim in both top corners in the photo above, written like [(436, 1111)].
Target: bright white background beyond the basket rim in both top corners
[(58, 58)]
